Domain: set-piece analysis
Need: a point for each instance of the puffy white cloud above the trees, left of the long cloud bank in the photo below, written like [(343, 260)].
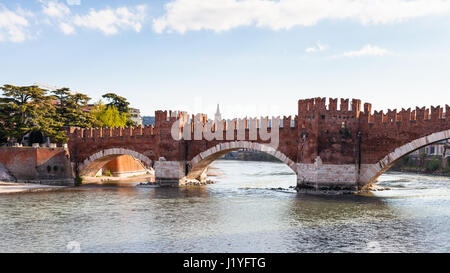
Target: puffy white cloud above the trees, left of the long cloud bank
[(110, 21)]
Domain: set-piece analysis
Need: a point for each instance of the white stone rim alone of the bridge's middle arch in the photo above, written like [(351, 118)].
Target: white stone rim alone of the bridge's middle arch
[(228, 146)]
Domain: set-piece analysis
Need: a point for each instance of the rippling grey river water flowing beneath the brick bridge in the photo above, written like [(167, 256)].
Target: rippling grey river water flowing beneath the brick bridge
[(240, 213)]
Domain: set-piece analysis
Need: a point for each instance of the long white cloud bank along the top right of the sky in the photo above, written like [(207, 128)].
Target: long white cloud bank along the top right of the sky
[(222, 15)]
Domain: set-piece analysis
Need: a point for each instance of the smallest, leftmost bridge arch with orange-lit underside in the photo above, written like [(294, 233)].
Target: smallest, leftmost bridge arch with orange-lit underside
[(98, 160)]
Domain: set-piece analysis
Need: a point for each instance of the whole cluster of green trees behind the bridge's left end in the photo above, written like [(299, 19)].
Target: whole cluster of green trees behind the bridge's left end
[(36, 113)]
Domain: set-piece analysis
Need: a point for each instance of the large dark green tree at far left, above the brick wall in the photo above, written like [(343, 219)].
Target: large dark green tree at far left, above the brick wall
[(28, 108)]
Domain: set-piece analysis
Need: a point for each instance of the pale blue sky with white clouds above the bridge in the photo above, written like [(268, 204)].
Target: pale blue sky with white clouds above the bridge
[(253, 57)]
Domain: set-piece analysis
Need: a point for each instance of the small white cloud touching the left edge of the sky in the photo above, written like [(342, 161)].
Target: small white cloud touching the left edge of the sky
[(14, 25)]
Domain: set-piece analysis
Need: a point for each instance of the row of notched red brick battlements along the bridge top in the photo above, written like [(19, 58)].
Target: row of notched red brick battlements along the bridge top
[(308, 109)]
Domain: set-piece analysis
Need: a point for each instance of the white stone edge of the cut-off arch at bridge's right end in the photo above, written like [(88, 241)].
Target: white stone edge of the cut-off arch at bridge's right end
[(370, 172)]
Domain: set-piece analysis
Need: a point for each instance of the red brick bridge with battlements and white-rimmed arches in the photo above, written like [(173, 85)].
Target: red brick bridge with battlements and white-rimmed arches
[(343, 148)]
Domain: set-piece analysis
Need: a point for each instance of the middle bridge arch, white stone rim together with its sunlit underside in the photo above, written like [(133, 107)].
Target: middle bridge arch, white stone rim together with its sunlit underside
[(199, 164)]
